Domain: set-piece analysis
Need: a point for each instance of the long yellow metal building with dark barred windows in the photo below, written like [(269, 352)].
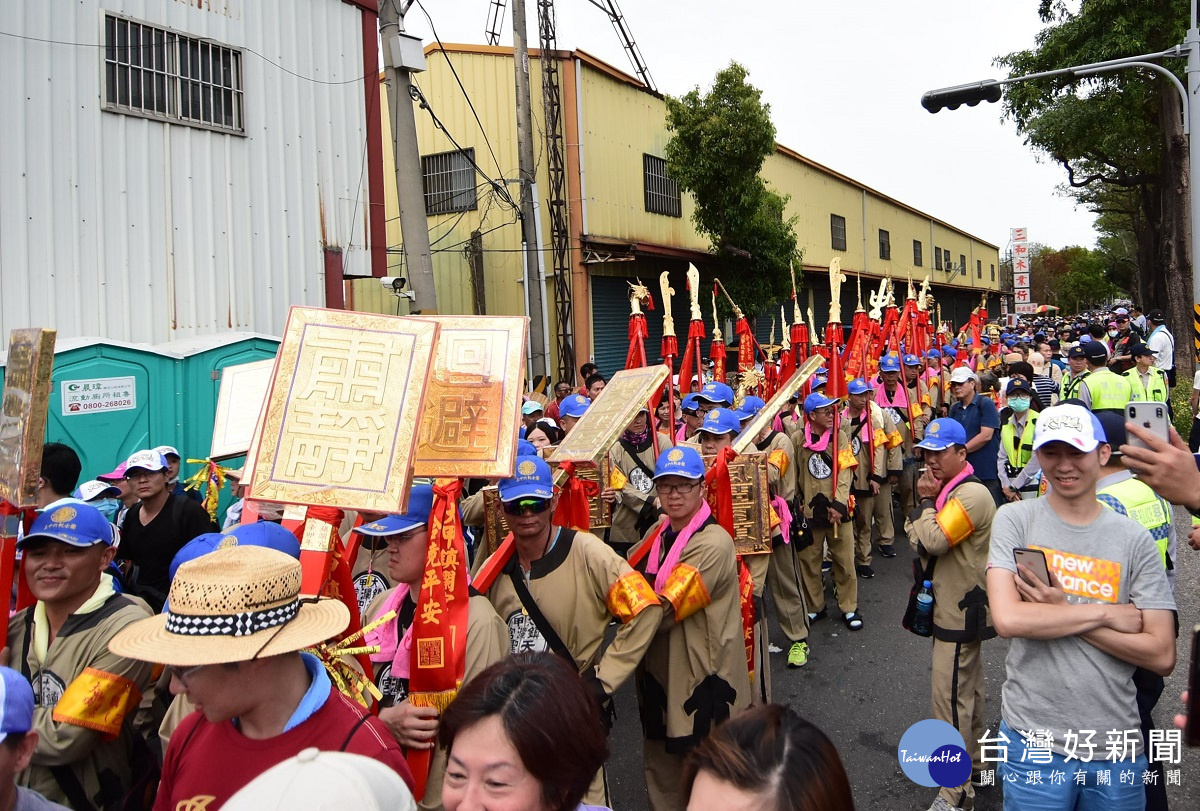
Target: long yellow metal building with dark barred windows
[(627, 220)]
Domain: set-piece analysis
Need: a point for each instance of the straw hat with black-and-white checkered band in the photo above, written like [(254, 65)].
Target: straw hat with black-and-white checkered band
[(233, 605)]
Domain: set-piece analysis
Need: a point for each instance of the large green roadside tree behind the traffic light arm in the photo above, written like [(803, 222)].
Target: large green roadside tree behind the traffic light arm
[(1119, 136)]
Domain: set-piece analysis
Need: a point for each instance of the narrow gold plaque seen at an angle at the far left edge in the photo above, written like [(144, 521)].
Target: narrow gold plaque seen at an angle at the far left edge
[(25, 406)]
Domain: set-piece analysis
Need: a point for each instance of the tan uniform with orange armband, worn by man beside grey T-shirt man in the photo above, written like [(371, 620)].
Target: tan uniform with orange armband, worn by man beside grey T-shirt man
[(951, 536)]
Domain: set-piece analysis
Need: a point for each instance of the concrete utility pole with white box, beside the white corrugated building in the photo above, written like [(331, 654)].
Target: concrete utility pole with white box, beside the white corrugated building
[(404, 56)]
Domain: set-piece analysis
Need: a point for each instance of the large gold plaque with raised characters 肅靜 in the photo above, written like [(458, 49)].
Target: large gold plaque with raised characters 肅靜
[(341, 418)]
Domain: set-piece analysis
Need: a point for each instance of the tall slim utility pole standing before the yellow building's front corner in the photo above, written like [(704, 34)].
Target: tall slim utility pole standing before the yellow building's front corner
[(536, 286)]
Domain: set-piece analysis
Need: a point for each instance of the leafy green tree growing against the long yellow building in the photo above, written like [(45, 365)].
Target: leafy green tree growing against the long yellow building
[(718, 145)]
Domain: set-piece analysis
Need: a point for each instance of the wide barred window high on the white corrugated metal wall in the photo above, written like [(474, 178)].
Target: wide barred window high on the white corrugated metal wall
[(159, 74)]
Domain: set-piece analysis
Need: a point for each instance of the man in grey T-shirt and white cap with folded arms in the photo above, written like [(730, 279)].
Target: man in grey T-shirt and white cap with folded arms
[(1078, 640)]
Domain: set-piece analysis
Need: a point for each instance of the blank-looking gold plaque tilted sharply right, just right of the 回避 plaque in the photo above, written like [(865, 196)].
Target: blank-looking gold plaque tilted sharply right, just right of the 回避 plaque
[(611, 413)]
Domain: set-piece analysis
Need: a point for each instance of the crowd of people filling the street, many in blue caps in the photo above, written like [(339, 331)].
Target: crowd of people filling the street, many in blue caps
[(165, 663)]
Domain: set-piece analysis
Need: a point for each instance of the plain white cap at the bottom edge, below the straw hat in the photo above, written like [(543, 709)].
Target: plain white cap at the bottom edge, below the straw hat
[(326, 782)]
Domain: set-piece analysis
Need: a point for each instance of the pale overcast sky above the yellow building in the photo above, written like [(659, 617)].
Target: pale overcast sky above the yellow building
[(844, 82)]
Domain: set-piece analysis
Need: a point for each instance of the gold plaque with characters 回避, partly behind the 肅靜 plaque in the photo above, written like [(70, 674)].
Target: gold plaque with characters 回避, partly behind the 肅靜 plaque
[(473, 403)]
